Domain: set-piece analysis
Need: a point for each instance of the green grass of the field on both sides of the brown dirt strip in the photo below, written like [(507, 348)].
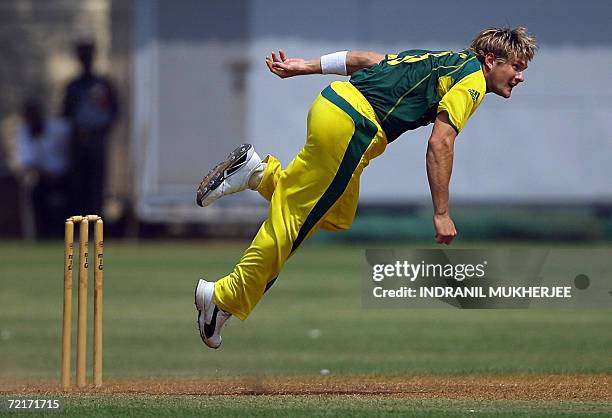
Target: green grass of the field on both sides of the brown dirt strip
[(310, 321)]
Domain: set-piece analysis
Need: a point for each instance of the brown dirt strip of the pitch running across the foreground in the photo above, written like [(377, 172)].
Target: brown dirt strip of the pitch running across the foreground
[(519, 387)]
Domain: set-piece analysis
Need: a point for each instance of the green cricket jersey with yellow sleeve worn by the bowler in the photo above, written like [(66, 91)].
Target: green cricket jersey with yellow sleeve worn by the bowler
[(409, 89)]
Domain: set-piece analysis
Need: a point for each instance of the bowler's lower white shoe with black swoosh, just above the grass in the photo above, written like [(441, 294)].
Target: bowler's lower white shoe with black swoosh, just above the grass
[(210, 318)]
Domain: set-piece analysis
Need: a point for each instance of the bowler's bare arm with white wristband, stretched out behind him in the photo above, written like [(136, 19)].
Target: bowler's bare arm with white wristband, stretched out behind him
[(342, 63)]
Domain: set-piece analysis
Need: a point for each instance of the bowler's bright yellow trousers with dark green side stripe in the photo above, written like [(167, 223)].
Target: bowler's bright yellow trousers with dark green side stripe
[(318, 189)]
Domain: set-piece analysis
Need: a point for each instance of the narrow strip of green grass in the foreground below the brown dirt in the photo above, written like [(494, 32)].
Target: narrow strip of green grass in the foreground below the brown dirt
[(318, 406)]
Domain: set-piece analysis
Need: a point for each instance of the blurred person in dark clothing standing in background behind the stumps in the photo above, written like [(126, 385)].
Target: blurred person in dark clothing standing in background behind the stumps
[(90, 106)]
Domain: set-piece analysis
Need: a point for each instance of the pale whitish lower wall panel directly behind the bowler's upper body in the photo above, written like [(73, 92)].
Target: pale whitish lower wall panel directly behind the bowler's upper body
[(551, 141)]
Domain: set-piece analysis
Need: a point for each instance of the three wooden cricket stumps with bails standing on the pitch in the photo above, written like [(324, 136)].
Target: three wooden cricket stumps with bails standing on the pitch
[(81, 368)]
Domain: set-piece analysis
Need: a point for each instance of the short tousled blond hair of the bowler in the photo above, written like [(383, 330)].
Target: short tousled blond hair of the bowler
[(505, 44)]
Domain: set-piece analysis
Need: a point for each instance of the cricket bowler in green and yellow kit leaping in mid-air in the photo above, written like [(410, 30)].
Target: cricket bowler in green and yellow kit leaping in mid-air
[(350, 123)]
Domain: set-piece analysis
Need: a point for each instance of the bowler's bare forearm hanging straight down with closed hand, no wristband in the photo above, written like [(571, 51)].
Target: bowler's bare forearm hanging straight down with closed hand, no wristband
[(439, 168)]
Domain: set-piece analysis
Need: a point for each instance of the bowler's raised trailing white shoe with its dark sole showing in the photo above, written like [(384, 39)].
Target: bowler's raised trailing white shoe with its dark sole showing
[(229, 176)]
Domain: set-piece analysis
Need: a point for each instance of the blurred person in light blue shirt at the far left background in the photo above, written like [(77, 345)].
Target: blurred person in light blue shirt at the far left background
[(43, 160)]
